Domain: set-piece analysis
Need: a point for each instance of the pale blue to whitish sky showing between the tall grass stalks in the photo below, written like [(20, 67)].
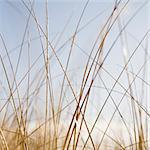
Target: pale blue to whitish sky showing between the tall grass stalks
[(63, 18)]
